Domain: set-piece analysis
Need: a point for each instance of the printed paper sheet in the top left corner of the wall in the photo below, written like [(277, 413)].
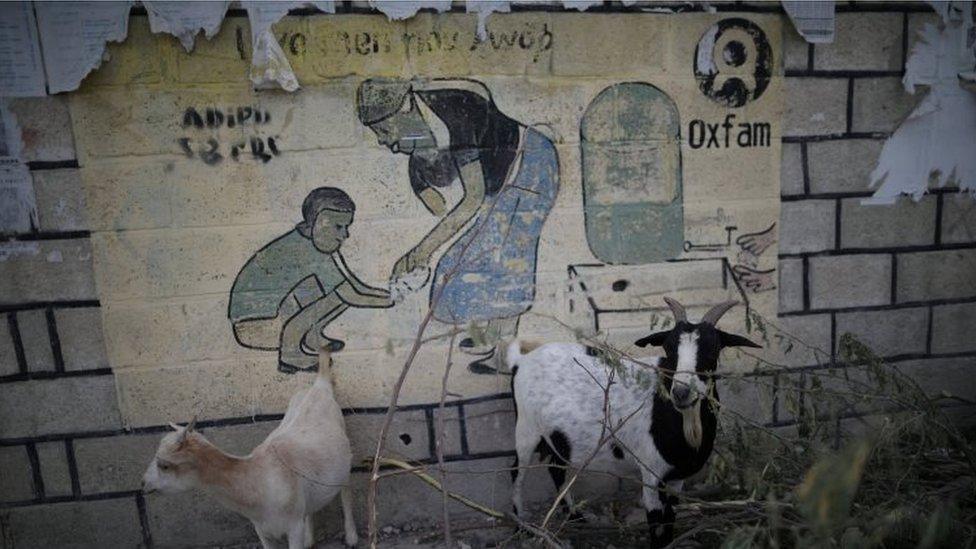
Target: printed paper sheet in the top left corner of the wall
[(21, 70)]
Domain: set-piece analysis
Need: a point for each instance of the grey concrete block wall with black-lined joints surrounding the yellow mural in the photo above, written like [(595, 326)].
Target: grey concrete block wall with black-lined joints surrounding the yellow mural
[(900, 277)]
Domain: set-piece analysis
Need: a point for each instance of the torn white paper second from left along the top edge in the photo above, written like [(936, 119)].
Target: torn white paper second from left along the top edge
[(73, 36)]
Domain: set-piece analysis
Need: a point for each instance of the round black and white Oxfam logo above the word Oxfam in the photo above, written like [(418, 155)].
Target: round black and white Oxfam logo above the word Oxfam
[(733, 62)]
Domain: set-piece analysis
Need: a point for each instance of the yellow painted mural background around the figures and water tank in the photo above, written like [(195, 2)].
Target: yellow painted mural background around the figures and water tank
[(170, 232)]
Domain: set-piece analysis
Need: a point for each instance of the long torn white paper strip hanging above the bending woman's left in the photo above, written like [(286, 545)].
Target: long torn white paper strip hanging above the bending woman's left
[(269, 65)]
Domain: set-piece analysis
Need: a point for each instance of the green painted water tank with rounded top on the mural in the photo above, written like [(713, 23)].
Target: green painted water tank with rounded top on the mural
[(632, 195)]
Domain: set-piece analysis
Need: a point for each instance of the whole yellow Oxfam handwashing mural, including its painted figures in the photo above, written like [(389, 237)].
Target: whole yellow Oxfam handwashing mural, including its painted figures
[(543, 182)]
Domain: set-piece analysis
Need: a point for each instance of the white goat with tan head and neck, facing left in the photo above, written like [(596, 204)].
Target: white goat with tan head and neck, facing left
[(296, 471)]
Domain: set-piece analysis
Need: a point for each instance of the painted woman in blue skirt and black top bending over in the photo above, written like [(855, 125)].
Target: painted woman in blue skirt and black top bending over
[(508, 175)]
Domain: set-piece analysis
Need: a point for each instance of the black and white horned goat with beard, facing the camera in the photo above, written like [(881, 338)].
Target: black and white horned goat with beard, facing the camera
[(560, 405)]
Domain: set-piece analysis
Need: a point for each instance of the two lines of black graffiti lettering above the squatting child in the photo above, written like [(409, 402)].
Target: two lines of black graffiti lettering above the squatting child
[(211, 150)]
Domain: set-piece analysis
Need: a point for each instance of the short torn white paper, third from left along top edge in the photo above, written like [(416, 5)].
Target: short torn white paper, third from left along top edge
[(185, 19)]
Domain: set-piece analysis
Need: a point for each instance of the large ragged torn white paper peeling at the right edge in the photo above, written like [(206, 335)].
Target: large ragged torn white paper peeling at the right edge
[(937, 141)]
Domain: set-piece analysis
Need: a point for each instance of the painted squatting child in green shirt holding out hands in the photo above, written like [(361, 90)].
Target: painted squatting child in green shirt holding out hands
[(292, 288)]
